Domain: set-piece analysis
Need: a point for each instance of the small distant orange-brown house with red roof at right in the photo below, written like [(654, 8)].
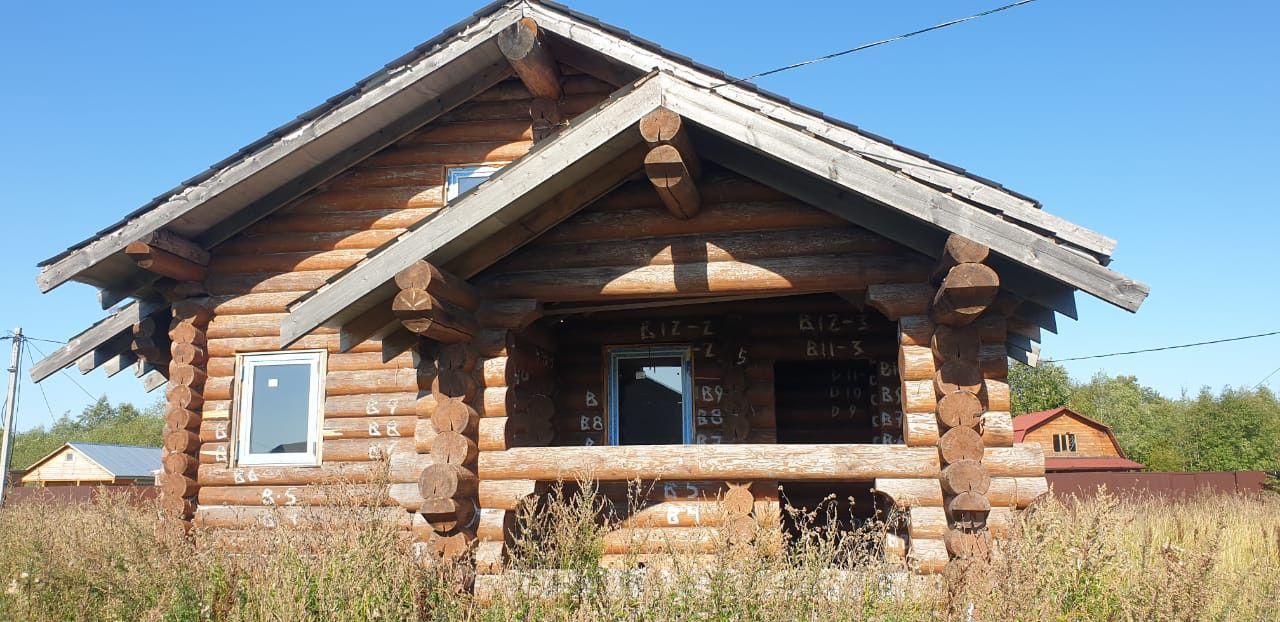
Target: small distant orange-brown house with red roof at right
[(1073, 442)]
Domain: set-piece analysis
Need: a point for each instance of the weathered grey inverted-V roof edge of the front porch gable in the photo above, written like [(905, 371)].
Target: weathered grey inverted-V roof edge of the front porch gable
[(830, 177)]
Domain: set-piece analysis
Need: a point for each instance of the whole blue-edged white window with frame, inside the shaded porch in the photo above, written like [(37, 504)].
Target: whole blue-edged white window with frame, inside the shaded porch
[(651, 396)]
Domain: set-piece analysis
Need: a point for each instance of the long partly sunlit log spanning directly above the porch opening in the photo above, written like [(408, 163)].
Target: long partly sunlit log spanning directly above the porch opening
[(789, 275)]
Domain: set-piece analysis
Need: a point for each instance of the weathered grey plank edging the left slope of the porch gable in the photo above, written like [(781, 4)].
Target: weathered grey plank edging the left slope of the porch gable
[(514, 193)]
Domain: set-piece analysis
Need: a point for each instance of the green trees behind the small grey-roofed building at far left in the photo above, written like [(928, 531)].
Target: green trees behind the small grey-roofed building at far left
[(100, 423)]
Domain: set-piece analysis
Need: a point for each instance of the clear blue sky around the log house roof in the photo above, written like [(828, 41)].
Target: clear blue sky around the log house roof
[(1154, 122)]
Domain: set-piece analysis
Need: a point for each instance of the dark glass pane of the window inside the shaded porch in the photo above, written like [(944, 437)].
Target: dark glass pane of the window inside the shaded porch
[(651, 401)]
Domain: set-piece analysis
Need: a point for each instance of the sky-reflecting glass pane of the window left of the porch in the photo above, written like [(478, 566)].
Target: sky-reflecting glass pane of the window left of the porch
[(282, 396)]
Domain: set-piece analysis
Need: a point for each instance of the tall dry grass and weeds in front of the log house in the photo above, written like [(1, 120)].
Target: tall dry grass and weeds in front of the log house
[(1212, 559)]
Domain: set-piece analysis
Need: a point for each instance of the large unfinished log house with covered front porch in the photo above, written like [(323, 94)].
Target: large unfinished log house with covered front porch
[(540, 248)]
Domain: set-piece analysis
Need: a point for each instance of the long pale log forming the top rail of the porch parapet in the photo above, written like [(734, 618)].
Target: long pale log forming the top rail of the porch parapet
[(728, 463)]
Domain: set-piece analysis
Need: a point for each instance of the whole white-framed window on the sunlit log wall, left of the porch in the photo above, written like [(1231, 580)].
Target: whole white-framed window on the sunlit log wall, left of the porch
[(280, 408)]
